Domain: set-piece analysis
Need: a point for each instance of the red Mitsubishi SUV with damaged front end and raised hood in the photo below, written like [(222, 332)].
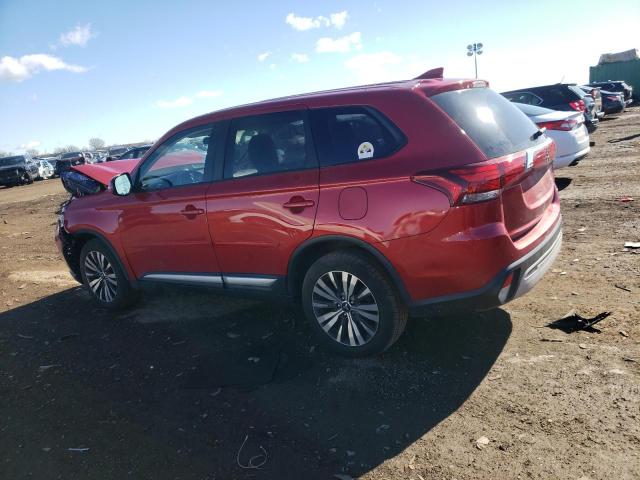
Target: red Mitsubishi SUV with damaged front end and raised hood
[(365, 204)]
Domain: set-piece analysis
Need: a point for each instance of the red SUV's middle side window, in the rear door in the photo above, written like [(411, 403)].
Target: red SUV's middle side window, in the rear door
[(269, 143)]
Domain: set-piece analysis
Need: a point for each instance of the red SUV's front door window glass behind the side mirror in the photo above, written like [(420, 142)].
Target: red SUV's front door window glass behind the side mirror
[(178, 162)]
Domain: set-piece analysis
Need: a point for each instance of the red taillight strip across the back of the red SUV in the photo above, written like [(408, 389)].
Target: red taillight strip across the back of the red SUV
[(479, 182)]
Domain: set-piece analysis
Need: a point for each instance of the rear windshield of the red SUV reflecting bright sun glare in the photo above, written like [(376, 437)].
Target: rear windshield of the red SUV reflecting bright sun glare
[(496, 125)]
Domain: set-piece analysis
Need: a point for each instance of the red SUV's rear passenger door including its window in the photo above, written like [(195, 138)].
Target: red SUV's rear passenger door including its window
[(265, 204)]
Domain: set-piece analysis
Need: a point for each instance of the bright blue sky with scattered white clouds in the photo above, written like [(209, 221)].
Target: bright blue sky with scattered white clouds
[(128, 71)]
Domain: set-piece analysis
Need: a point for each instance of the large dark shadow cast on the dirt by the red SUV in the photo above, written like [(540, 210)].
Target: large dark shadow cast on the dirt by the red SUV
[(172, 388)]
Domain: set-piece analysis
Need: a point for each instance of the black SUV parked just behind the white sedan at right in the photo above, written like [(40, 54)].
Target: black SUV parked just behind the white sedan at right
[(561, 96)]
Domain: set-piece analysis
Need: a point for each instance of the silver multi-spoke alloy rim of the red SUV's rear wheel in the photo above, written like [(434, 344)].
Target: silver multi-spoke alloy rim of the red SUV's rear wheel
[(345, 308)]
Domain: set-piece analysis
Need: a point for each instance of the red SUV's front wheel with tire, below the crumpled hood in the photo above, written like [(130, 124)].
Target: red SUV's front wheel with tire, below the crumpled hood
[(107, 294)]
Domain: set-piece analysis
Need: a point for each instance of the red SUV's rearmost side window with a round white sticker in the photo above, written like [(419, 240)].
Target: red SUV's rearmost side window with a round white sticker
[(353, 134)]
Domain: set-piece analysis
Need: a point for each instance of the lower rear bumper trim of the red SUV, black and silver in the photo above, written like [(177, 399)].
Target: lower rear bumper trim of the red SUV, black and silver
[(525, 273)]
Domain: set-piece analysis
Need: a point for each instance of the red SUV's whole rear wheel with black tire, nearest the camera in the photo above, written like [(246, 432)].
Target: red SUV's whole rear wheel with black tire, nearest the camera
[(383, 301)]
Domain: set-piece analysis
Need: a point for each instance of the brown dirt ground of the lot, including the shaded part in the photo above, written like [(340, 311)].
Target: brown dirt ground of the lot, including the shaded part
[(174, 387)]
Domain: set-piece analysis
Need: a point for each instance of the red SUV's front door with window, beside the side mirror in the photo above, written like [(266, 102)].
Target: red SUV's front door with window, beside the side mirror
[(164, 224)]
